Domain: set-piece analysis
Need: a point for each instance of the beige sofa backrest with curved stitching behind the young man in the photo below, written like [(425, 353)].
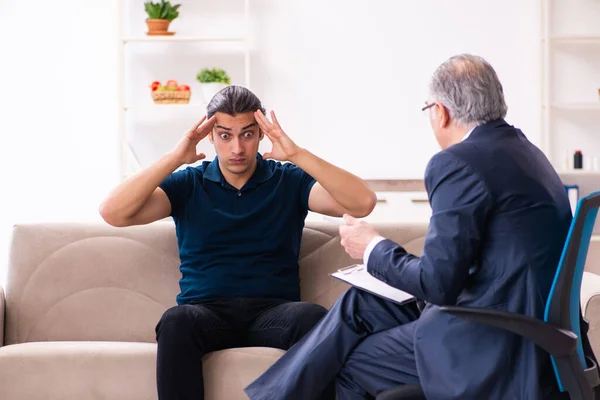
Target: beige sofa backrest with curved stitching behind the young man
[(94, 282)]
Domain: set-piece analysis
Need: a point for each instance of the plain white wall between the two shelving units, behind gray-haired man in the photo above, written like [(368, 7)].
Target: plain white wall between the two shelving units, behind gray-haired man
[(348, 78)]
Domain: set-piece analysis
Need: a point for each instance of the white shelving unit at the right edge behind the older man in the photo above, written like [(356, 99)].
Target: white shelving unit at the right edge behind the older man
[(570, 114)]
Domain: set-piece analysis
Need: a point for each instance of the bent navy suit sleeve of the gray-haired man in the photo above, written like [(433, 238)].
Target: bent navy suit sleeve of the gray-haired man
[(460, 203)]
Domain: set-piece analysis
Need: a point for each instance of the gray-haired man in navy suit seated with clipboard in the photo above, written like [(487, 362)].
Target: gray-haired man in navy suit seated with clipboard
[(500, 216)]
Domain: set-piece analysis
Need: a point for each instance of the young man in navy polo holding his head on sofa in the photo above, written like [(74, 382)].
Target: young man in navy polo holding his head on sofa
[(239, 223)]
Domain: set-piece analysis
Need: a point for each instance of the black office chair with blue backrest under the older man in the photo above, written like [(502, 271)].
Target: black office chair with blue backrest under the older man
[(559, 333)]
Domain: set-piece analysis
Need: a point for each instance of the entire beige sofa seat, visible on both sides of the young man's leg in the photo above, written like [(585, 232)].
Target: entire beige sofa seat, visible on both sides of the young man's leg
[(116, 370)]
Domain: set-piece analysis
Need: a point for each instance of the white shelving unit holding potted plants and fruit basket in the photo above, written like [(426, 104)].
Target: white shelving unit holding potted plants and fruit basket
[(147, 130)]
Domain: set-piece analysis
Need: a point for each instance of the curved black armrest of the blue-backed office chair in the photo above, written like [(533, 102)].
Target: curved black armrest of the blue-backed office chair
[(556, 341)]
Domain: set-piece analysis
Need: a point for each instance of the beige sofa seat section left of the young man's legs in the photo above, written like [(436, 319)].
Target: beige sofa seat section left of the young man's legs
[(78, 370)]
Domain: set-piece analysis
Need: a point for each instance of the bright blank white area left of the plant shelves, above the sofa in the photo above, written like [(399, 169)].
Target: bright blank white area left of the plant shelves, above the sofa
[(58, 111)]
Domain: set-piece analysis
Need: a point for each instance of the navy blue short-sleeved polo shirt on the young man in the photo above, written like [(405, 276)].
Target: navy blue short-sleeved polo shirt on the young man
[(239, 243)]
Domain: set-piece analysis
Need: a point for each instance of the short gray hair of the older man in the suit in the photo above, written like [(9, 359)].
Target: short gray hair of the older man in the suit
[(469, 88)]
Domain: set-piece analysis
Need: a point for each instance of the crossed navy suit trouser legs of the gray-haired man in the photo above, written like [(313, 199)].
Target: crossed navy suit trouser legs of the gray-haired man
[(364, 345)]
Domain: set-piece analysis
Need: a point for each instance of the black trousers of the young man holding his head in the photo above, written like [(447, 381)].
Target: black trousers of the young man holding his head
[(187, 332)]
